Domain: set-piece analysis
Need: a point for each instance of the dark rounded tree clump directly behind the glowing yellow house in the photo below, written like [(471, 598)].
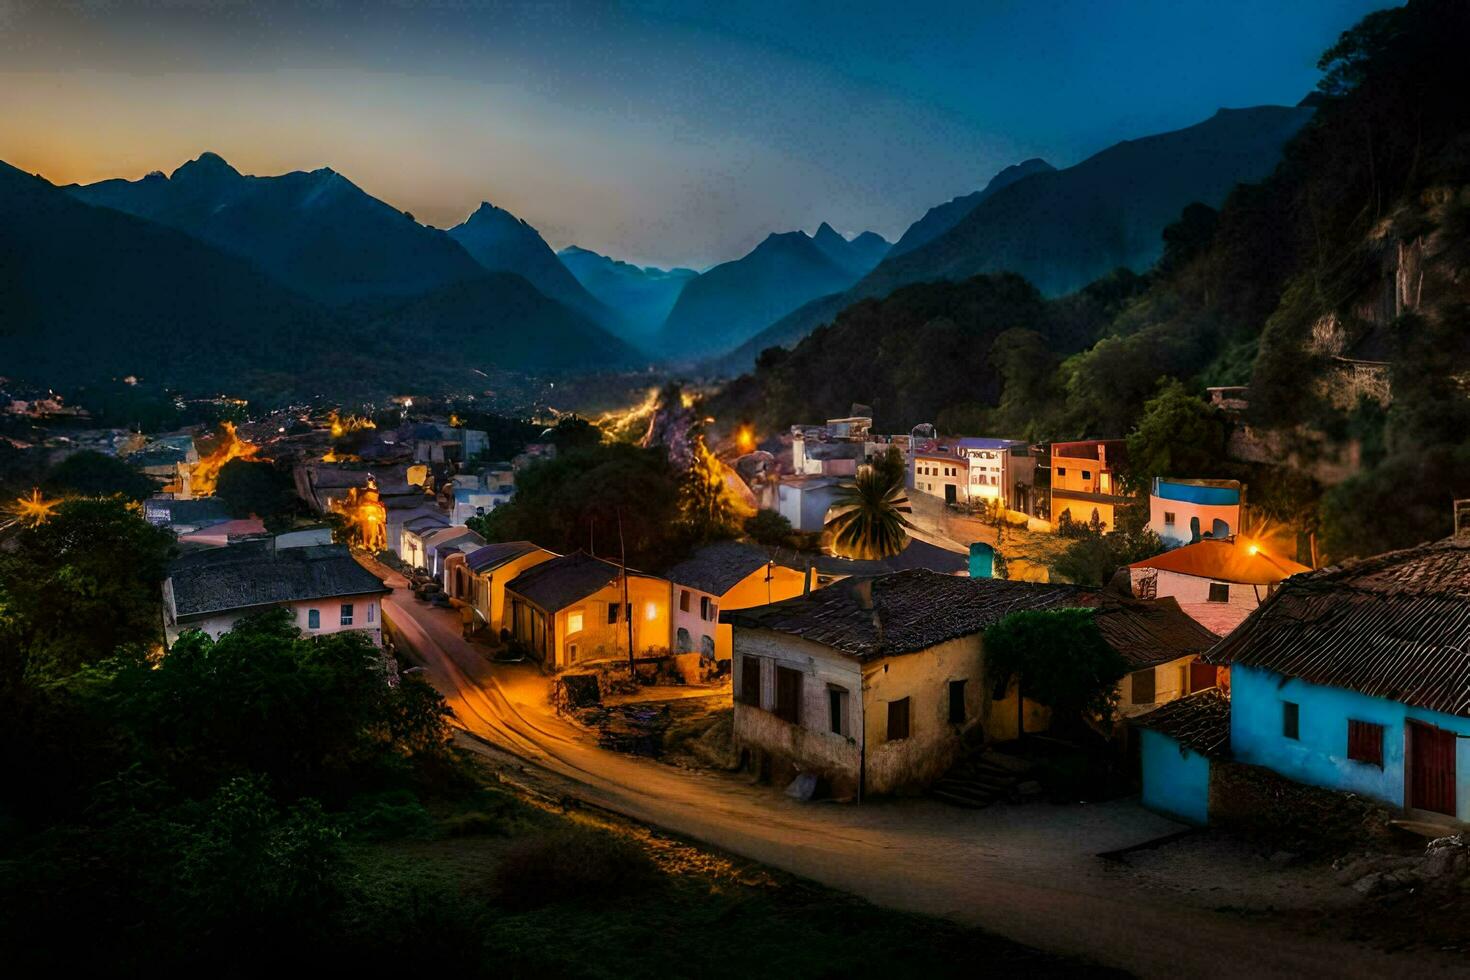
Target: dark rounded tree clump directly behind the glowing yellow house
[(577, 499)]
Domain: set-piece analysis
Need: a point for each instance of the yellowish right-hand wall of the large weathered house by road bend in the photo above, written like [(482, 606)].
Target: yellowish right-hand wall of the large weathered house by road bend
[(934, 743)]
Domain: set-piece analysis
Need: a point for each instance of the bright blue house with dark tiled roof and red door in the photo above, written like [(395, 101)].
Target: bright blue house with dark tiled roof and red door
[(1358, 678)]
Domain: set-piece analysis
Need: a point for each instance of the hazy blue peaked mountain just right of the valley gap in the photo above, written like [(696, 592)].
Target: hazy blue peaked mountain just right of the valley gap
[(731, 302)]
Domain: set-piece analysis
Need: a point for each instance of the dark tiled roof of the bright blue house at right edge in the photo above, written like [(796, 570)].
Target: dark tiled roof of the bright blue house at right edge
[(1393, 627)]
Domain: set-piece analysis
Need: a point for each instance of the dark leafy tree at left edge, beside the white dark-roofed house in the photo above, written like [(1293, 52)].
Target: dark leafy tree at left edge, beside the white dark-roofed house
[(80, 587)]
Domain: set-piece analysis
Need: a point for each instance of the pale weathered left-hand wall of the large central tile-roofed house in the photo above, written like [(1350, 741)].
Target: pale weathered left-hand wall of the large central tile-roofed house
[(809, 746)]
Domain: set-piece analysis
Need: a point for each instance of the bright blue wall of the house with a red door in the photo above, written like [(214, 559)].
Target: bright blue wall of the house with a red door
[(1321, 756)]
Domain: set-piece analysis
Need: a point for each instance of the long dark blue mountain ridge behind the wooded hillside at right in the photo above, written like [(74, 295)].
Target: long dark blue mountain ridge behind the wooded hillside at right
[(1065, 228)]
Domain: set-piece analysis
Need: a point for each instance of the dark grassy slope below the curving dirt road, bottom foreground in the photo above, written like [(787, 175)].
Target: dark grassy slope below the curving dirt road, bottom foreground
[(581, 896)]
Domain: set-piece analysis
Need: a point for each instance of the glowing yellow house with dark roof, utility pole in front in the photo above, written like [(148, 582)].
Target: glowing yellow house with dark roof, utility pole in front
[(571, 610)]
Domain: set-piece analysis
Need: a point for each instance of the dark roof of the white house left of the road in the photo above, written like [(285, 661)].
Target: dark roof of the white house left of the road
[(251, 575)]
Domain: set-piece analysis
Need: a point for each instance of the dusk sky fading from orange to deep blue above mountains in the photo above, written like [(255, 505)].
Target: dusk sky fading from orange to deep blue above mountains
[(662, 133)]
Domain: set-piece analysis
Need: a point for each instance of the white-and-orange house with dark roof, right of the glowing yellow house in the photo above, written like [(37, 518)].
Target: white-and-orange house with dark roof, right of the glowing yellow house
[(727, 575)]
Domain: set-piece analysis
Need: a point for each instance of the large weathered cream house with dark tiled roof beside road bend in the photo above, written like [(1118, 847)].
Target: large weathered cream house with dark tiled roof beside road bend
[(875, 684)]
